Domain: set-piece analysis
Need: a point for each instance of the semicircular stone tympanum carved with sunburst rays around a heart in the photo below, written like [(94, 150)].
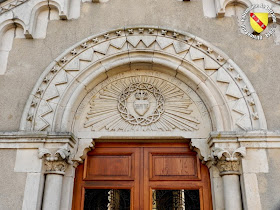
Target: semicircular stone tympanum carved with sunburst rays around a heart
[(140, 103)]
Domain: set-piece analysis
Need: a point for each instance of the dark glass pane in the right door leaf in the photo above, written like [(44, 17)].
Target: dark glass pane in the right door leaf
[(176, 200)]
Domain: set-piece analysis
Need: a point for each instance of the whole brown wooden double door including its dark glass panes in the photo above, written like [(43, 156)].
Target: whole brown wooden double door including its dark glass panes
[(142, 176)]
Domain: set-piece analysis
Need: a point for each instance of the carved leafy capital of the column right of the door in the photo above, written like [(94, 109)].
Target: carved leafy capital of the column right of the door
[(228, 163)]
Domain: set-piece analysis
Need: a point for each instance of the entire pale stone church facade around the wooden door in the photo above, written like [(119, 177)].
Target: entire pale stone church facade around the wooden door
[(77, 73)]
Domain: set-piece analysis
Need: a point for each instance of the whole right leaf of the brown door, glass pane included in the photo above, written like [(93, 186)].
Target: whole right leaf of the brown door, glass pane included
[(175, 179)]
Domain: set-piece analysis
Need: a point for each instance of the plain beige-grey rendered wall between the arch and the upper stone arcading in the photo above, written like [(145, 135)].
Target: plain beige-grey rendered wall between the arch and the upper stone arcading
[(183, 9)]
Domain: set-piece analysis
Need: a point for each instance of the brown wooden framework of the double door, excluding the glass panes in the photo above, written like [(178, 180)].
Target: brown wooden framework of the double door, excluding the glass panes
[(142, 168)]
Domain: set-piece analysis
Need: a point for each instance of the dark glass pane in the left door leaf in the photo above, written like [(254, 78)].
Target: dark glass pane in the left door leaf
[(107, 199)]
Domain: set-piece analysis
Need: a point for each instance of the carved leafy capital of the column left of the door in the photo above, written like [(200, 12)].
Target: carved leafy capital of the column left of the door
[(57, 162)]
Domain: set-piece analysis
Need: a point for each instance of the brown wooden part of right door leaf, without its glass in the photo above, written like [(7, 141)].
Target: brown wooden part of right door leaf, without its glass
[(175, 168)]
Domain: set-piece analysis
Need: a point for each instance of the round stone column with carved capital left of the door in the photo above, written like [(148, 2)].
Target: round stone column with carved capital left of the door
[(56, 164)]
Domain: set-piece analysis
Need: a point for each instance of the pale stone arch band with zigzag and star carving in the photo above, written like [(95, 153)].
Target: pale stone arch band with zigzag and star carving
[(155, 45)]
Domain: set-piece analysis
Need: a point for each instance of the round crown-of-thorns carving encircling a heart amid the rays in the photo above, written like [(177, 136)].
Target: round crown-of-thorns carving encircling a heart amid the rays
[(143, 93)]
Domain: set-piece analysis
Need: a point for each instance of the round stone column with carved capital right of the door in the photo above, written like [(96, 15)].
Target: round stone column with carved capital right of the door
[(229, 166)]
